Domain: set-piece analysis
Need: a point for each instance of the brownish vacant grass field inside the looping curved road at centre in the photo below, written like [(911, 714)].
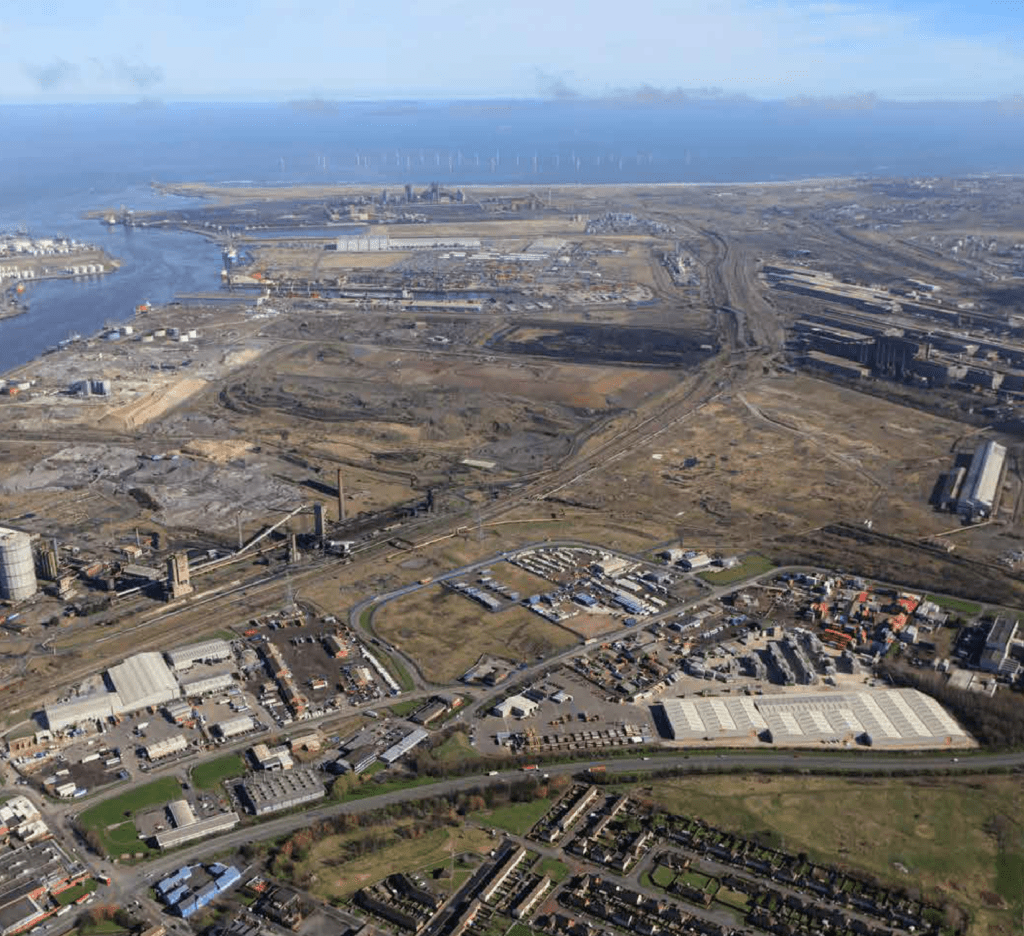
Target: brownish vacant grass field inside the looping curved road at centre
[(447, 633)]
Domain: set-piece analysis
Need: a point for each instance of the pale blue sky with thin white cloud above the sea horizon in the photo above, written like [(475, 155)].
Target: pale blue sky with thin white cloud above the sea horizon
[(279, 50)]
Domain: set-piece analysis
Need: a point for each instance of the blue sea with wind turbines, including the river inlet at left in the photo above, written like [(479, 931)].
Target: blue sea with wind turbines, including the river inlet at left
[(58, 162)]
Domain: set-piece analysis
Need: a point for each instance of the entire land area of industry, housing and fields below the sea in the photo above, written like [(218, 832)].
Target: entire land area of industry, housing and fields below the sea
[(497, 563)]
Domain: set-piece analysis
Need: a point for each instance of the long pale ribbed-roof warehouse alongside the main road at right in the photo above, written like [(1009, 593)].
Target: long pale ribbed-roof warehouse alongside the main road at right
[(881, 718)]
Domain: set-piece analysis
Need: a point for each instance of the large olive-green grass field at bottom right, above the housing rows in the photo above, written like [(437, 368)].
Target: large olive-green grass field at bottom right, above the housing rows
[(961, 839)]
